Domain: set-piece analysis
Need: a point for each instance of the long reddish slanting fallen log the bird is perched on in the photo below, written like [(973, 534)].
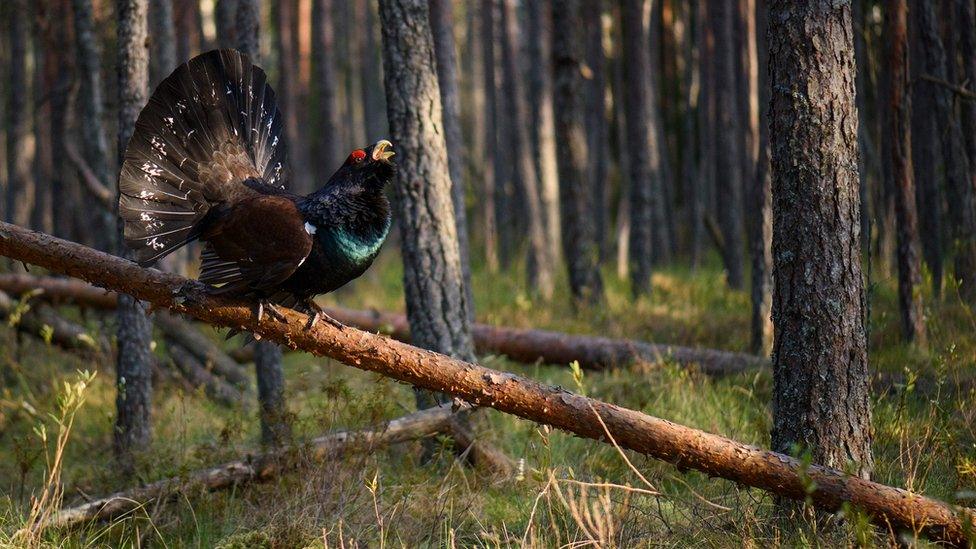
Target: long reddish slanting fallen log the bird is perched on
[(828, 489)]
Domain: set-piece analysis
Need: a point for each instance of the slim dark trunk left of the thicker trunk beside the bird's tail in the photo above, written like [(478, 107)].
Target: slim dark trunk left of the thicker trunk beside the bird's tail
[(94, 145)]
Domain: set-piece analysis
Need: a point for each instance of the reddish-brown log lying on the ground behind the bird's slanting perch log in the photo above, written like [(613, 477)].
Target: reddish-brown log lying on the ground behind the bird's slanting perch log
[(523, 345)]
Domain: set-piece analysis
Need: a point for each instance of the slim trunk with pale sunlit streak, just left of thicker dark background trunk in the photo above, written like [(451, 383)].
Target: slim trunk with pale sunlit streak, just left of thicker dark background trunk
[(543, 130)]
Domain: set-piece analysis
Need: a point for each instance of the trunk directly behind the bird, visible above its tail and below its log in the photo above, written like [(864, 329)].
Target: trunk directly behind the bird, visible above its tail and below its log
[(275, 419)]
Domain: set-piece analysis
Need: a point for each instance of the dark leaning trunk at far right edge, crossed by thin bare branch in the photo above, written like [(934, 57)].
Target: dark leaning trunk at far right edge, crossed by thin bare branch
[(960, 196)]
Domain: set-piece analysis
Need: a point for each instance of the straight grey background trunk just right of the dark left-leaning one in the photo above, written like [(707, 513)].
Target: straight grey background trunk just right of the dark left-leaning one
[(641, 143)]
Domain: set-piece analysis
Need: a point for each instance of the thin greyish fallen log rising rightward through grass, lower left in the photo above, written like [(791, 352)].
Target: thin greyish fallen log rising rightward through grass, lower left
[(258, 467)]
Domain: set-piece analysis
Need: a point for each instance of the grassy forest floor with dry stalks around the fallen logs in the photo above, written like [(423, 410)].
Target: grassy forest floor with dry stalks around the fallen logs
[(566, 492)]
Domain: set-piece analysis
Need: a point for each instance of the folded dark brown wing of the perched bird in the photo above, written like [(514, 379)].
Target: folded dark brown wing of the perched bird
[(256, 245)]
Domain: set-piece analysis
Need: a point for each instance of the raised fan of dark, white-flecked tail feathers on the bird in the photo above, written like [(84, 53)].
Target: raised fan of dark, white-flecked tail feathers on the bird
[(208, 126)]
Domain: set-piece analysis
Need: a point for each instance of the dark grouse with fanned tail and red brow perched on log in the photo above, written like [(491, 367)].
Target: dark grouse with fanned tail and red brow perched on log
[(206, 162)]
